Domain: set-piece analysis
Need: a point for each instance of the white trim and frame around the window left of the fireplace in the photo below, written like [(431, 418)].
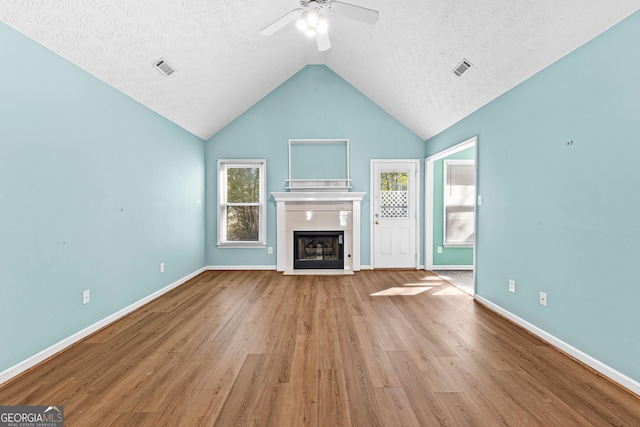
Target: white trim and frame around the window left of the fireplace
[(261, 164)]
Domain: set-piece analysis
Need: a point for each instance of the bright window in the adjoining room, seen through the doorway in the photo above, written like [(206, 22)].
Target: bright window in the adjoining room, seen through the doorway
[(459, 201)]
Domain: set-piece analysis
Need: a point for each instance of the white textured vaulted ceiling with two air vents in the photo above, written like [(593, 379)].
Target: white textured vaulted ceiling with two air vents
[(223, 65)]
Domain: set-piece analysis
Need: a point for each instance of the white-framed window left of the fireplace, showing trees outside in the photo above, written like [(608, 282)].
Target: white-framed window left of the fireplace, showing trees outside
[(241, 203)]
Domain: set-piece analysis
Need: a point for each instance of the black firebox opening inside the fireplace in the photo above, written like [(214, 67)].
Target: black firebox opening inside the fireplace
[(318, 249)]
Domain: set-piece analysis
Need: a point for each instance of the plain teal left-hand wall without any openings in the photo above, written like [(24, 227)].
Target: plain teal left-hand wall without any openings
[(95, 192)]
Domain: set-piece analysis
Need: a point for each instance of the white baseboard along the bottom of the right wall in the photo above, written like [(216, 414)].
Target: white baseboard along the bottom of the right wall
[(607, 371)]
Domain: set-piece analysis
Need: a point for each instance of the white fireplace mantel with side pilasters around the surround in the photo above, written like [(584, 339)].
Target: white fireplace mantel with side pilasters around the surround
[(314, 200)]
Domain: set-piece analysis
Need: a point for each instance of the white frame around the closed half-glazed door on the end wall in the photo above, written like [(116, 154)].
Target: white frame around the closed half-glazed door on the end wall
[(417, 192)]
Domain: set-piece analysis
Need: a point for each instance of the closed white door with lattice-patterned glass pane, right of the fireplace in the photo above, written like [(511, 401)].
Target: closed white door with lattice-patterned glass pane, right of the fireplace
[(394, 217)]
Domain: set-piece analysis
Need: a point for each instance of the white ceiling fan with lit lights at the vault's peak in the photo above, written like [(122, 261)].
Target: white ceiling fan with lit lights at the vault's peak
[(311, 19)]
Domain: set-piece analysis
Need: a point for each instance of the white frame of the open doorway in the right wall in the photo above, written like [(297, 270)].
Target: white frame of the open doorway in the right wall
[(428, 200)]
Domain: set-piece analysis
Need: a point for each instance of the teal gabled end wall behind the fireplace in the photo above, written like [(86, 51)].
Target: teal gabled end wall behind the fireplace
[(314, 103)]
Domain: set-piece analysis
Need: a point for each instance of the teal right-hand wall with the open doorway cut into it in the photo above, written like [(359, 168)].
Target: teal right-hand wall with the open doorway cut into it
[(563, 218)]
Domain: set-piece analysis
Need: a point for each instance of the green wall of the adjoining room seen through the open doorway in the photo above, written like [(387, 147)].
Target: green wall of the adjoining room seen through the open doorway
[(451, 255)]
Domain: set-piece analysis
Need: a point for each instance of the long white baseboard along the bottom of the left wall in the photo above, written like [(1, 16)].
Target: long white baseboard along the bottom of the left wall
[(19, 368)]
